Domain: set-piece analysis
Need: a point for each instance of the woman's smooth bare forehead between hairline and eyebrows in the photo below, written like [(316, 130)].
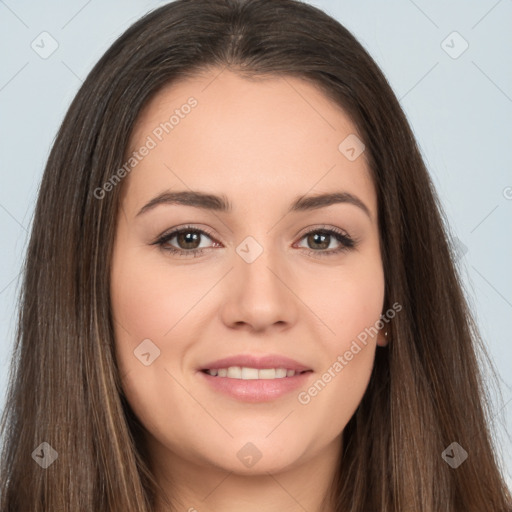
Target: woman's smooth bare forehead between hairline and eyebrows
[(267, 138)]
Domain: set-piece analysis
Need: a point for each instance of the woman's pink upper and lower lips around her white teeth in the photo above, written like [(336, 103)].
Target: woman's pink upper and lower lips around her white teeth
[(256, 390)]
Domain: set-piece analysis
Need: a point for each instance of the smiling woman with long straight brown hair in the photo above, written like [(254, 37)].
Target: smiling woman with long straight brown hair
[(256, 370)]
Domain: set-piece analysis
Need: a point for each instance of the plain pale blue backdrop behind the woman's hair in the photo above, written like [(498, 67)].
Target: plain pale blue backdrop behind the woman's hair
[(460, 110)]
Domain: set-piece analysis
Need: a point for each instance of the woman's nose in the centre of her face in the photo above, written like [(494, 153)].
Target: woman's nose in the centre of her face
[(260, 294)]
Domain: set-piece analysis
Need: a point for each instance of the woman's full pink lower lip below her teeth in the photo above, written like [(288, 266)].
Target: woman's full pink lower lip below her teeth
[(256, 390)]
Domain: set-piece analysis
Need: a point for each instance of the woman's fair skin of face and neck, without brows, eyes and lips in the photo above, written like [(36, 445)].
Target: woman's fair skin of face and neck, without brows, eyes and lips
[(262, 143)]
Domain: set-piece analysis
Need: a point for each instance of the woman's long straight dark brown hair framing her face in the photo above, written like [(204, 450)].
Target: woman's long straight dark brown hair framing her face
[(427, 388)]
